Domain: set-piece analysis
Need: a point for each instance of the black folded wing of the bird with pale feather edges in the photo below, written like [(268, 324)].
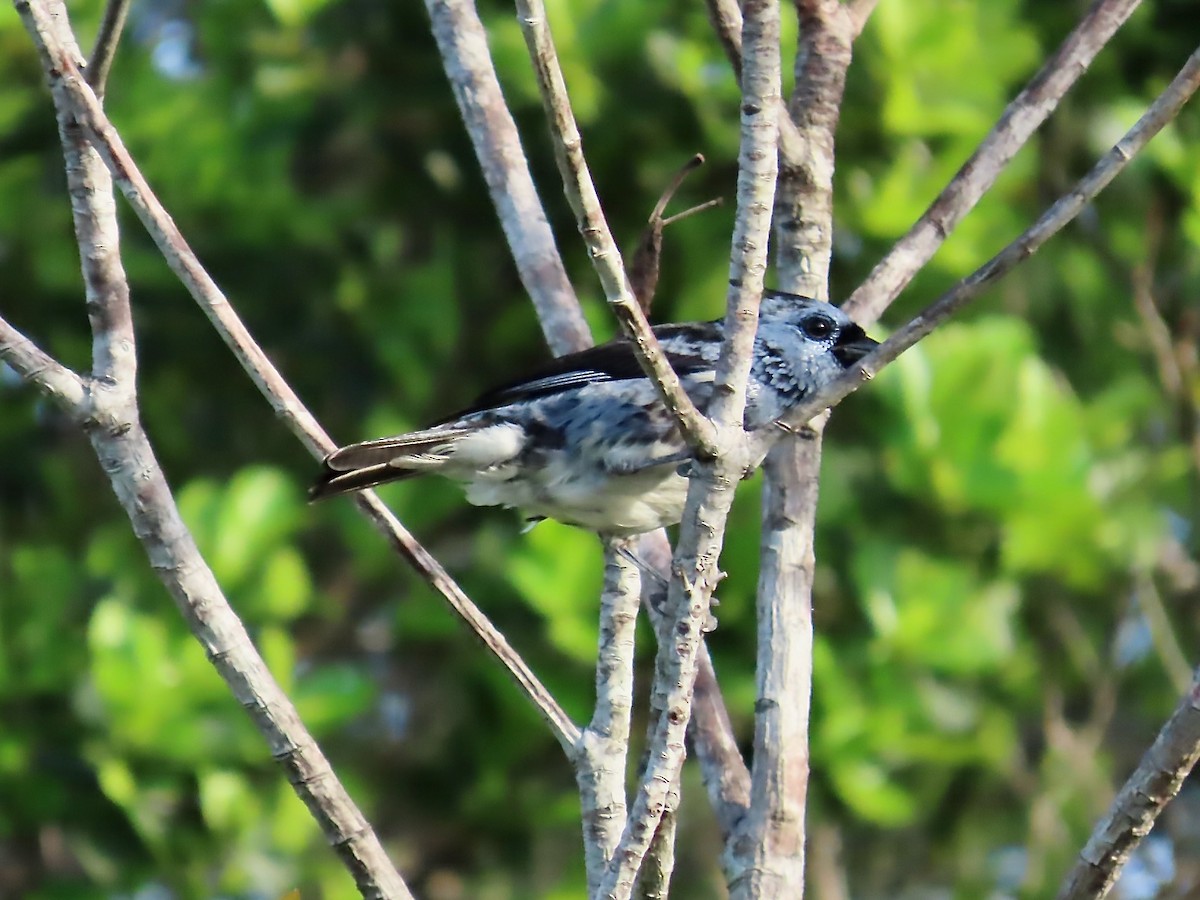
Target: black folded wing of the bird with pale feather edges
[(615, 362)]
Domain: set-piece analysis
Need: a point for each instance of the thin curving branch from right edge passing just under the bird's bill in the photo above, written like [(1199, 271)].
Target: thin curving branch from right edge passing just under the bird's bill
[(1160, 113)]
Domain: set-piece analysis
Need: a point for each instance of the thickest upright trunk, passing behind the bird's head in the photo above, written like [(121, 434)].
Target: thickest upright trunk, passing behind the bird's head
[(765, 855)]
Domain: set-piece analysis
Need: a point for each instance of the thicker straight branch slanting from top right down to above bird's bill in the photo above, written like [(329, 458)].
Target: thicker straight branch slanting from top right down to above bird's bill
[(1021, 119)]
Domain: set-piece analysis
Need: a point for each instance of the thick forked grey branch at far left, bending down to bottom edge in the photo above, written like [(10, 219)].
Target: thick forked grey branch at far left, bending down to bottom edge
[(109, 413)]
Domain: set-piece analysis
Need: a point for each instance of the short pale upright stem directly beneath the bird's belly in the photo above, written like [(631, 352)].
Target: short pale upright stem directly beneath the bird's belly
[(603, 751)]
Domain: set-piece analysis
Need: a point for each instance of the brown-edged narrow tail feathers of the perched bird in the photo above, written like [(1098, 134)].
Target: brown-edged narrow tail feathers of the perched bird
[(375, 463)]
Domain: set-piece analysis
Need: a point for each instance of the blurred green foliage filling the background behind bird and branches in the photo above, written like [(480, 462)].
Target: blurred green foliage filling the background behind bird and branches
[(1009, 514)]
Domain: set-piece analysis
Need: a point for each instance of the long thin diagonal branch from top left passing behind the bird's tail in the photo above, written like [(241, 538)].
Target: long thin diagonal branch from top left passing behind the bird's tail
[(68, 82)]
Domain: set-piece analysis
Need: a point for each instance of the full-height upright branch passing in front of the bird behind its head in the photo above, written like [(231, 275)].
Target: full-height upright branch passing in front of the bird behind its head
[(711, 488)]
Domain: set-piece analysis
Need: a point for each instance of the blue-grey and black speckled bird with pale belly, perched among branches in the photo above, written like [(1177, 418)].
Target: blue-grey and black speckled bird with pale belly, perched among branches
[(587, 441)]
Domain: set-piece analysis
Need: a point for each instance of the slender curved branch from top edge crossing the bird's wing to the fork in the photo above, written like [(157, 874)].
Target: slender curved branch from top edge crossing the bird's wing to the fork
[(585, 202)]
